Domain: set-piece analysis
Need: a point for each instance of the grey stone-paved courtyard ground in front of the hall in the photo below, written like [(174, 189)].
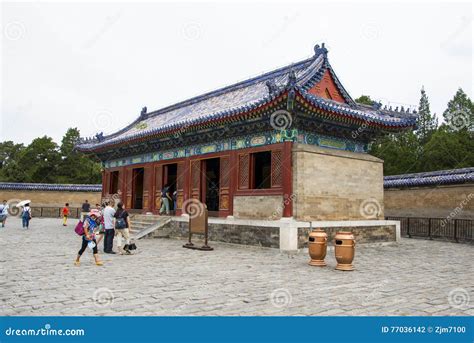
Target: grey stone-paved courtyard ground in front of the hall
[(38, 277)]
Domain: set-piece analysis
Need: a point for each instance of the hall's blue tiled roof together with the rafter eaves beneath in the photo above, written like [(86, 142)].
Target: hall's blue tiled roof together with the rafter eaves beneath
[(253, 98)]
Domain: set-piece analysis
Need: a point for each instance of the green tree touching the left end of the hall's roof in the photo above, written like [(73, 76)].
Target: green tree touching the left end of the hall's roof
[(75, 167)]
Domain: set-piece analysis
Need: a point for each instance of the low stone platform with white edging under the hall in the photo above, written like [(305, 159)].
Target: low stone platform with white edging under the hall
[(286, 234)]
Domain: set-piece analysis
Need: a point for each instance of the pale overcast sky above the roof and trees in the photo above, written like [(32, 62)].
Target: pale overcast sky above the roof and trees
[(94, 66)]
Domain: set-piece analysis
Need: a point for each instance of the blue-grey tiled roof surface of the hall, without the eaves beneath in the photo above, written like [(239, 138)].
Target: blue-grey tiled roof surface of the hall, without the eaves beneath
[(248, 95)]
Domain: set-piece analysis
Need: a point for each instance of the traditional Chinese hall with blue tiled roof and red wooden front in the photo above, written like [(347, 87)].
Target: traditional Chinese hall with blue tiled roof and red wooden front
[(280, 150)]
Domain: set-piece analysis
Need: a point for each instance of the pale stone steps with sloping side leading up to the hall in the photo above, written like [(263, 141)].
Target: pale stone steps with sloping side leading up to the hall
[(146, 225)]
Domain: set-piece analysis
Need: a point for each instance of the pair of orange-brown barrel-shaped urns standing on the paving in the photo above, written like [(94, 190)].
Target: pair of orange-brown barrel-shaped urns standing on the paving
[(344, 249)]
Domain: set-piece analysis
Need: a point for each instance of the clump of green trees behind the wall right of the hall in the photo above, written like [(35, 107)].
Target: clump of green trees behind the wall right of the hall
[(431, 147)]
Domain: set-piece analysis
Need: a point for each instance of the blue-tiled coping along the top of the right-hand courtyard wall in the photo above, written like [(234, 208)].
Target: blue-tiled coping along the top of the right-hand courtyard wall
[(440, 177)]
